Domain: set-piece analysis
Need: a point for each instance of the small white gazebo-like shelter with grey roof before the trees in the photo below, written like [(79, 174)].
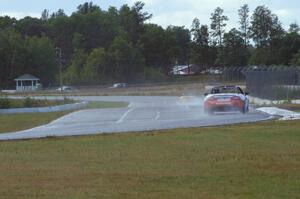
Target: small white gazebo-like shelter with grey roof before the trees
[(27, 82)]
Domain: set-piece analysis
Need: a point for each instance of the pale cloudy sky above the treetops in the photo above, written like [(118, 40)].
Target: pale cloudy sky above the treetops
[(165, 12)]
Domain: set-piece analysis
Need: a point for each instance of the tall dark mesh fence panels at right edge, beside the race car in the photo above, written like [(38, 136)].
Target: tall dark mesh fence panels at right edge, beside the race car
[(273, 82)]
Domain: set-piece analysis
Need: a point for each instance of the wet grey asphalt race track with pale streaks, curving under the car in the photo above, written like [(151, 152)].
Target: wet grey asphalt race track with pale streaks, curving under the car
[(143, 113)]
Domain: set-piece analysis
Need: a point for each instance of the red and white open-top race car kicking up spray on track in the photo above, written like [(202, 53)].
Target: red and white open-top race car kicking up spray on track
[(226, 98)]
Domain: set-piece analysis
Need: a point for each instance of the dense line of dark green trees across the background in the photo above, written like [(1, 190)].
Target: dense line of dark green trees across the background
[(103, 46)]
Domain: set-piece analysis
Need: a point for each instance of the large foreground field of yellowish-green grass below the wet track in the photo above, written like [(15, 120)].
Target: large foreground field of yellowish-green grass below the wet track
[(260, 160)]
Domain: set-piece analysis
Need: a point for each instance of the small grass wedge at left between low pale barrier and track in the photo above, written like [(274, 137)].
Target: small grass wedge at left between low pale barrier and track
[(22, 121)]
